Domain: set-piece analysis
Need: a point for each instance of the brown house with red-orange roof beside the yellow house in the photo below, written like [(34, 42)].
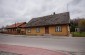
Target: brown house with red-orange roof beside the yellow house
[(16, 28)]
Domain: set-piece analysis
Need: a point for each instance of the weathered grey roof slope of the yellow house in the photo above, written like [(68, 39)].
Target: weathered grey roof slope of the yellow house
[(61, 18)]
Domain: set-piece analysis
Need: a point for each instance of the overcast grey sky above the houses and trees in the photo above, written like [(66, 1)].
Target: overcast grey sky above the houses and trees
[(12, 11)]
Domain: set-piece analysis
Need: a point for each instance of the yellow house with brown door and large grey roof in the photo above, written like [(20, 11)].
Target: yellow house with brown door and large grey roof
[(56, 24)]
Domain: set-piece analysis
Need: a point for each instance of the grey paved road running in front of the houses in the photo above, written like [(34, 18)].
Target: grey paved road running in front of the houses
[(56, 43)]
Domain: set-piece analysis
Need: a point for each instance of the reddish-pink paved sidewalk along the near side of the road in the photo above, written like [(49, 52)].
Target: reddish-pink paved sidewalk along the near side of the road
[(22, 50)]
